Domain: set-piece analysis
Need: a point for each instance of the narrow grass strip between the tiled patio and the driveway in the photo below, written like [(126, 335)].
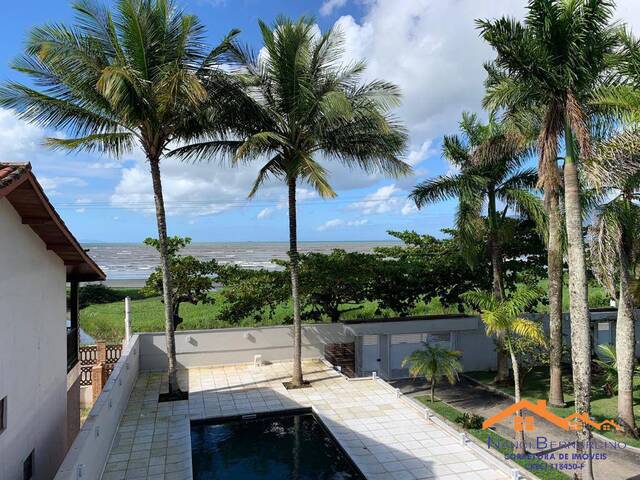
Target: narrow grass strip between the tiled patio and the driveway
[(536, 466)]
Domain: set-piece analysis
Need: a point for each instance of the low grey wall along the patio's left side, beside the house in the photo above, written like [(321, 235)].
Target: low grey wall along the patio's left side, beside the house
[(88, 454)]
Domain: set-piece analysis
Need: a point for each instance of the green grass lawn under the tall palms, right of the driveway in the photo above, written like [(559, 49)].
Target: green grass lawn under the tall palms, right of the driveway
[(536, 387)]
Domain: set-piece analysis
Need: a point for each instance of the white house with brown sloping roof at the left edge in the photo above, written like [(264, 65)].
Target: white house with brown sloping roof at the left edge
[(39, 370)]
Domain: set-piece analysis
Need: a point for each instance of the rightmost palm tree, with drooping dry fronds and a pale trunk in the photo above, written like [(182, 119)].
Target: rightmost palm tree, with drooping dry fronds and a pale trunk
[(615, 253)]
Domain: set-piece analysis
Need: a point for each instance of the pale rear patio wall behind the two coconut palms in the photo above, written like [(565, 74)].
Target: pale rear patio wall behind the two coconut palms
[(237, 345)]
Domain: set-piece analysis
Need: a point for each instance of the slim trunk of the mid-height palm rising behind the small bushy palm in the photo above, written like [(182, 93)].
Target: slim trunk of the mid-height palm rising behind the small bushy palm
[(502, 362)]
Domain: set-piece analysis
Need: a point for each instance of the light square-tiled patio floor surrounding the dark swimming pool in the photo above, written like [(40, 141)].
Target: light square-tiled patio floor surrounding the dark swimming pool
[(386, 438)]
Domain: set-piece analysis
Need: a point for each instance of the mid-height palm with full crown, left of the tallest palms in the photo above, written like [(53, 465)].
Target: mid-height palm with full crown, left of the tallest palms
[(498, 177)]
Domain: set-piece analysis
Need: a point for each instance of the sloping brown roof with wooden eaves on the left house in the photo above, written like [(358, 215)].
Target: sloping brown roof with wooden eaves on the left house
[(20, 187)]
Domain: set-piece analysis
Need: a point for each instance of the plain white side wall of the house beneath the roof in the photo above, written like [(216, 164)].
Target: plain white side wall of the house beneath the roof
[(33, 359)]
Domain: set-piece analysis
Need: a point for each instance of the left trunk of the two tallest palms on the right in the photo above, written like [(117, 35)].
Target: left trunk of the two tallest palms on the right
[(555, 275)]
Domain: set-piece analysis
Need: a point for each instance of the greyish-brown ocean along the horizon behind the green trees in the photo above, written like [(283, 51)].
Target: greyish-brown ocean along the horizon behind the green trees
[(123, 262)]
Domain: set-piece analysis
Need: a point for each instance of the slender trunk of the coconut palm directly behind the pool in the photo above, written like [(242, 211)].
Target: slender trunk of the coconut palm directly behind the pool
[(296, 377)]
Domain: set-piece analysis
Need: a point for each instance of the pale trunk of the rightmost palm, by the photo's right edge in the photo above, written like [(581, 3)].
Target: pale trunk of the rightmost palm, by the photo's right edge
[(625, 347)]
